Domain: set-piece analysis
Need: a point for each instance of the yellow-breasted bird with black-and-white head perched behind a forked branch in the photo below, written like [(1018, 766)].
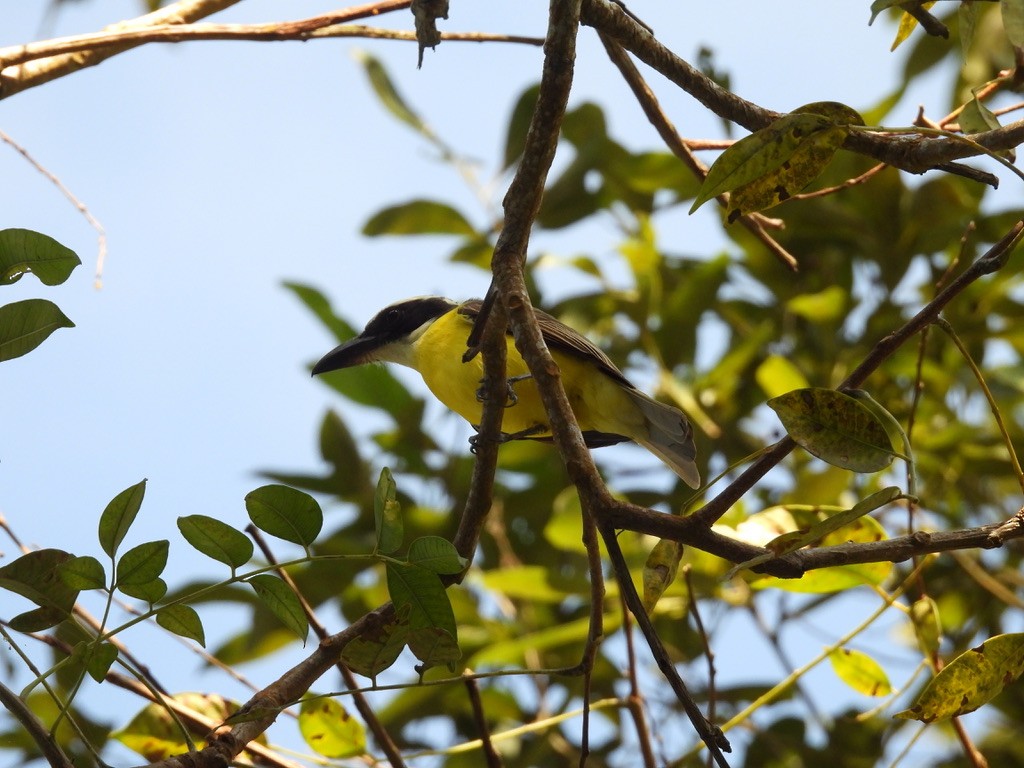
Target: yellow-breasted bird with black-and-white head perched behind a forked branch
[(429, 334)]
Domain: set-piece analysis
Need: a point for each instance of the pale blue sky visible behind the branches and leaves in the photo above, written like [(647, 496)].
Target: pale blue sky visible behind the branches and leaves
[(222, 169)]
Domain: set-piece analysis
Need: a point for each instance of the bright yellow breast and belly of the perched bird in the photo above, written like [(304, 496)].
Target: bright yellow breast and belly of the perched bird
[(599, 402)]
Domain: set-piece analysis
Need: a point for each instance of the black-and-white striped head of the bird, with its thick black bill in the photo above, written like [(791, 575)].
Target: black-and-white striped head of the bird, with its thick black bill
[(392, 327)]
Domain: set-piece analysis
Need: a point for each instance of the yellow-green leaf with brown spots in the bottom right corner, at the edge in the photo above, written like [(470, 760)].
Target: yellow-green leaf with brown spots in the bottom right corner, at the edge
[(971, 680)]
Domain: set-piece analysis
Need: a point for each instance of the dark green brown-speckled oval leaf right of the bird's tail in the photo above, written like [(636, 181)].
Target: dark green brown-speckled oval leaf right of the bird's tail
[(835, 428)]
